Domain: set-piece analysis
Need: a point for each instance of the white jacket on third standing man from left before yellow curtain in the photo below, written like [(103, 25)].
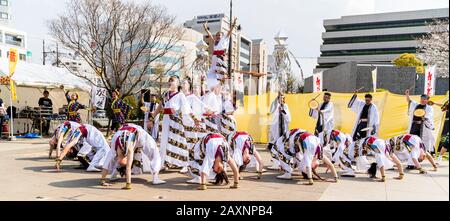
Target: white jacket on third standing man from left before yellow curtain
[(374, 118)]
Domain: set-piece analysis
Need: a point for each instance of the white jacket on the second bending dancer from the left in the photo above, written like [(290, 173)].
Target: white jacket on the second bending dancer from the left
[(150, 158)]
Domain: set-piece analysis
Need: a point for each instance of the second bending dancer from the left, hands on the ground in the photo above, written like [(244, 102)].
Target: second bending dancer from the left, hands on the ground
[(133, 151)]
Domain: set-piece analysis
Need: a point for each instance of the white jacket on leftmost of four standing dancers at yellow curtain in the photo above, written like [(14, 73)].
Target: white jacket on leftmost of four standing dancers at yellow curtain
[(274, 133)]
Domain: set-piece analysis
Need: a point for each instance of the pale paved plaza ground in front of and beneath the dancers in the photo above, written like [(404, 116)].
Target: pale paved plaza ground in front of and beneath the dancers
[(27, 174)]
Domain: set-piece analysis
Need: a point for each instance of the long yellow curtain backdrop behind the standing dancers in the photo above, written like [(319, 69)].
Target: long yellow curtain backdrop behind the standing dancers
[(253, 116)]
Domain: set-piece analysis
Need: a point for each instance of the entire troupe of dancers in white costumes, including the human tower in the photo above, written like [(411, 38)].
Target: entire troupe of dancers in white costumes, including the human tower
[(199, 137)]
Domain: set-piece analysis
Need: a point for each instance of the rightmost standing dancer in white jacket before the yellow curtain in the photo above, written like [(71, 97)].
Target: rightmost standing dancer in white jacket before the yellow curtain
[(422, 126)]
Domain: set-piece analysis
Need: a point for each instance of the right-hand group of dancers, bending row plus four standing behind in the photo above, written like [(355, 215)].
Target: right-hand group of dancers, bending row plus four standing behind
[(298, 149)]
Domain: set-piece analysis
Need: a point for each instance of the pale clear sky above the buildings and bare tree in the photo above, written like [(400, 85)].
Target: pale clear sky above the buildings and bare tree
[(301, 20)]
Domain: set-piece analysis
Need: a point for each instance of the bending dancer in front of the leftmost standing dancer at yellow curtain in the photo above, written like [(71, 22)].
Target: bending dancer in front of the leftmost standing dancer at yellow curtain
[(300, 149)]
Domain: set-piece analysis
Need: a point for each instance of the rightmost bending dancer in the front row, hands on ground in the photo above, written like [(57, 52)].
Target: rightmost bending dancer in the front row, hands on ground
[(411, 148)]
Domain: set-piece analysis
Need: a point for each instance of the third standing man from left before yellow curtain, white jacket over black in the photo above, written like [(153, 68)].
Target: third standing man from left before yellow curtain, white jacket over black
[(367, 120)]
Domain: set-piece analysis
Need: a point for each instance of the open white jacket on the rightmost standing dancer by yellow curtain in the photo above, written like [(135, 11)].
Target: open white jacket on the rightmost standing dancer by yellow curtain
[(428, 125)]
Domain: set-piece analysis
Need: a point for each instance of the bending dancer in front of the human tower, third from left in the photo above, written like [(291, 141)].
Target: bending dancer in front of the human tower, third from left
[(209, 158)]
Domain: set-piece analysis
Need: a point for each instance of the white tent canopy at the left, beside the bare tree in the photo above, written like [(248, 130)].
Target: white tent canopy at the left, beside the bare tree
[(40, 76)]
